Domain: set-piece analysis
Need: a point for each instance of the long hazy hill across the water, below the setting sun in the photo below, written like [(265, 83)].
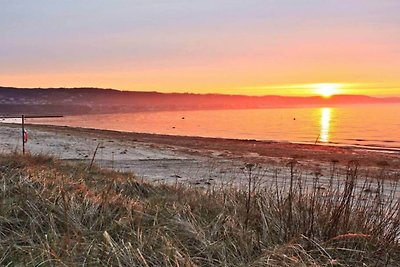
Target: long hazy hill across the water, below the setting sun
[(97, 100)]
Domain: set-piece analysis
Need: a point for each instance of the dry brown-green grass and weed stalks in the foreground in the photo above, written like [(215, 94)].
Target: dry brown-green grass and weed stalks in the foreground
[(53, 213)]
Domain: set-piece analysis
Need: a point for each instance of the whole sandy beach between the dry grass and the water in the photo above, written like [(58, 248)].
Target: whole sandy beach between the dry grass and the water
[(191, 160)]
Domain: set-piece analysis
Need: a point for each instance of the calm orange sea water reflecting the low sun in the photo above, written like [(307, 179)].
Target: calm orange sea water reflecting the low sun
[(372, 126)]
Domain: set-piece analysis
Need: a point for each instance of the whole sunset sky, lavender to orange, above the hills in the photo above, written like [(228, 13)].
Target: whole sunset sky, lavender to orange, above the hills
[(253, 47)]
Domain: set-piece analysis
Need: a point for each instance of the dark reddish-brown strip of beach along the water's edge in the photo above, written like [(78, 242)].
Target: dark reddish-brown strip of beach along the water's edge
[(248, 149)]
